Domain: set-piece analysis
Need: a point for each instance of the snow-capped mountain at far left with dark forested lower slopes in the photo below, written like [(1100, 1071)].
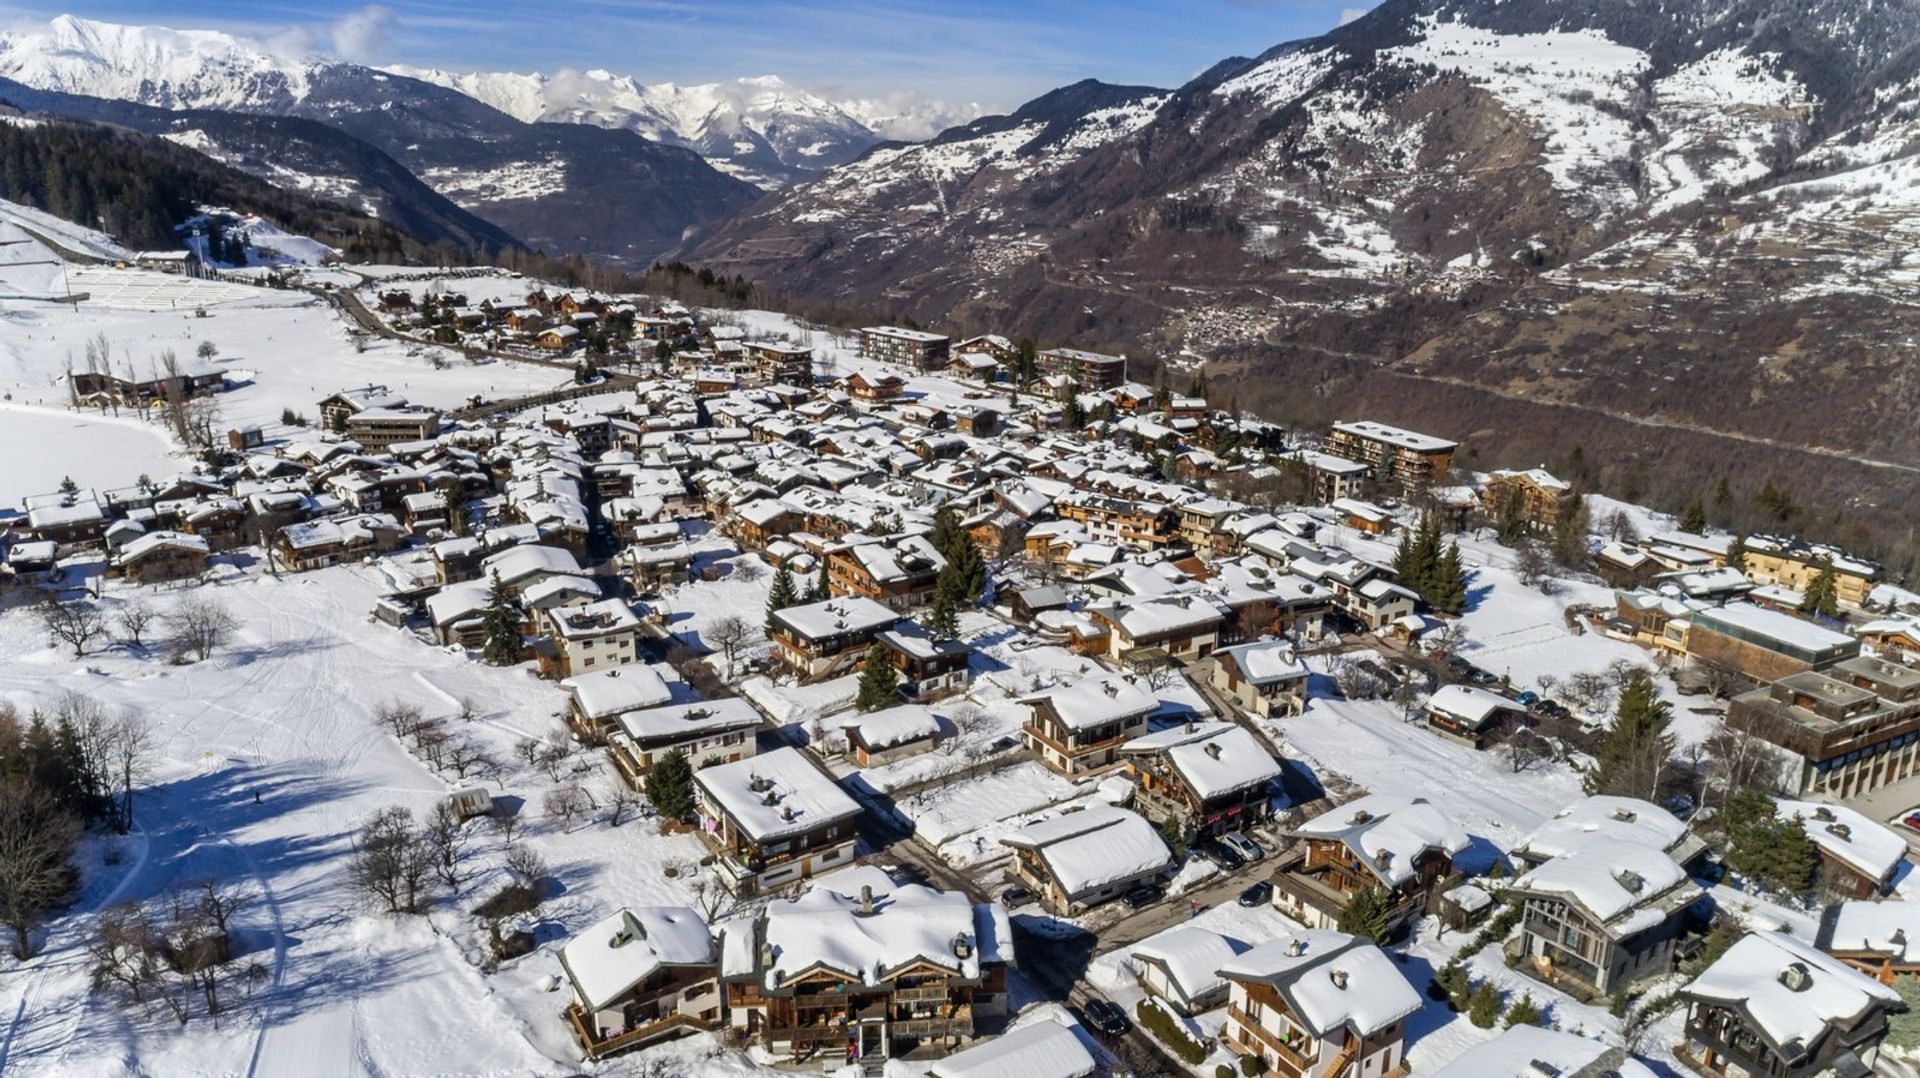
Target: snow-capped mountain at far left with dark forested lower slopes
[(608, 193)]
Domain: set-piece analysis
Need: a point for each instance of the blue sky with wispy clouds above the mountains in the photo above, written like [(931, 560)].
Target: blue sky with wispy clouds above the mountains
[(996, 53)]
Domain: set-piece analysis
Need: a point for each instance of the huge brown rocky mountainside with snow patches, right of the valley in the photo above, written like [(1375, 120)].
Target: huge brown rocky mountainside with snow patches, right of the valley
[(1692, 212)]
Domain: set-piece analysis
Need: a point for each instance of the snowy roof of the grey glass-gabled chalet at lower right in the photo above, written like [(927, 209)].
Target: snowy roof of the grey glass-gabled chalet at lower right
[(1614, 879)]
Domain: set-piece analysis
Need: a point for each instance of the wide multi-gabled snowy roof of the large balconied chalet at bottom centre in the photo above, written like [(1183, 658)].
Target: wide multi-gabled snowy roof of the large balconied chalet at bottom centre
[(865, 927)]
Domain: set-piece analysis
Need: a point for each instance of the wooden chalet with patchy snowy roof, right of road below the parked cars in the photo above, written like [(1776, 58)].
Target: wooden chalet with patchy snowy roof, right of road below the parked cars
[(1387, 843)]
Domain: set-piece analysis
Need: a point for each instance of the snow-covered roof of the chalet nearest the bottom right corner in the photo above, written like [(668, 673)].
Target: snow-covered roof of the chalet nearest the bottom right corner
[(1790, 991)]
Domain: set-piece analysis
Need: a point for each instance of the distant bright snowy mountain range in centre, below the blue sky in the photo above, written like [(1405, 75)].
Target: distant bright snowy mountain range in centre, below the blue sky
[(761, 130)]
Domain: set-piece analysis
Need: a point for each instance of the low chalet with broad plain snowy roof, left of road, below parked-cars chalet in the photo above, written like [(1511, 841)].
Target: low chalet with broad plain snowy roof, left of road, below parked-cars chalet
[(1084, 858)]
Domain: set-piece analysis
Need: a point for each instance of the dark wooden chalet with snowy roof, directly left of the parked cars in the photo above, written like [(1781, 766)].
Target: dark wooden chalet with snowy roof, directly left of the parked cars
[(1205, 777)]
